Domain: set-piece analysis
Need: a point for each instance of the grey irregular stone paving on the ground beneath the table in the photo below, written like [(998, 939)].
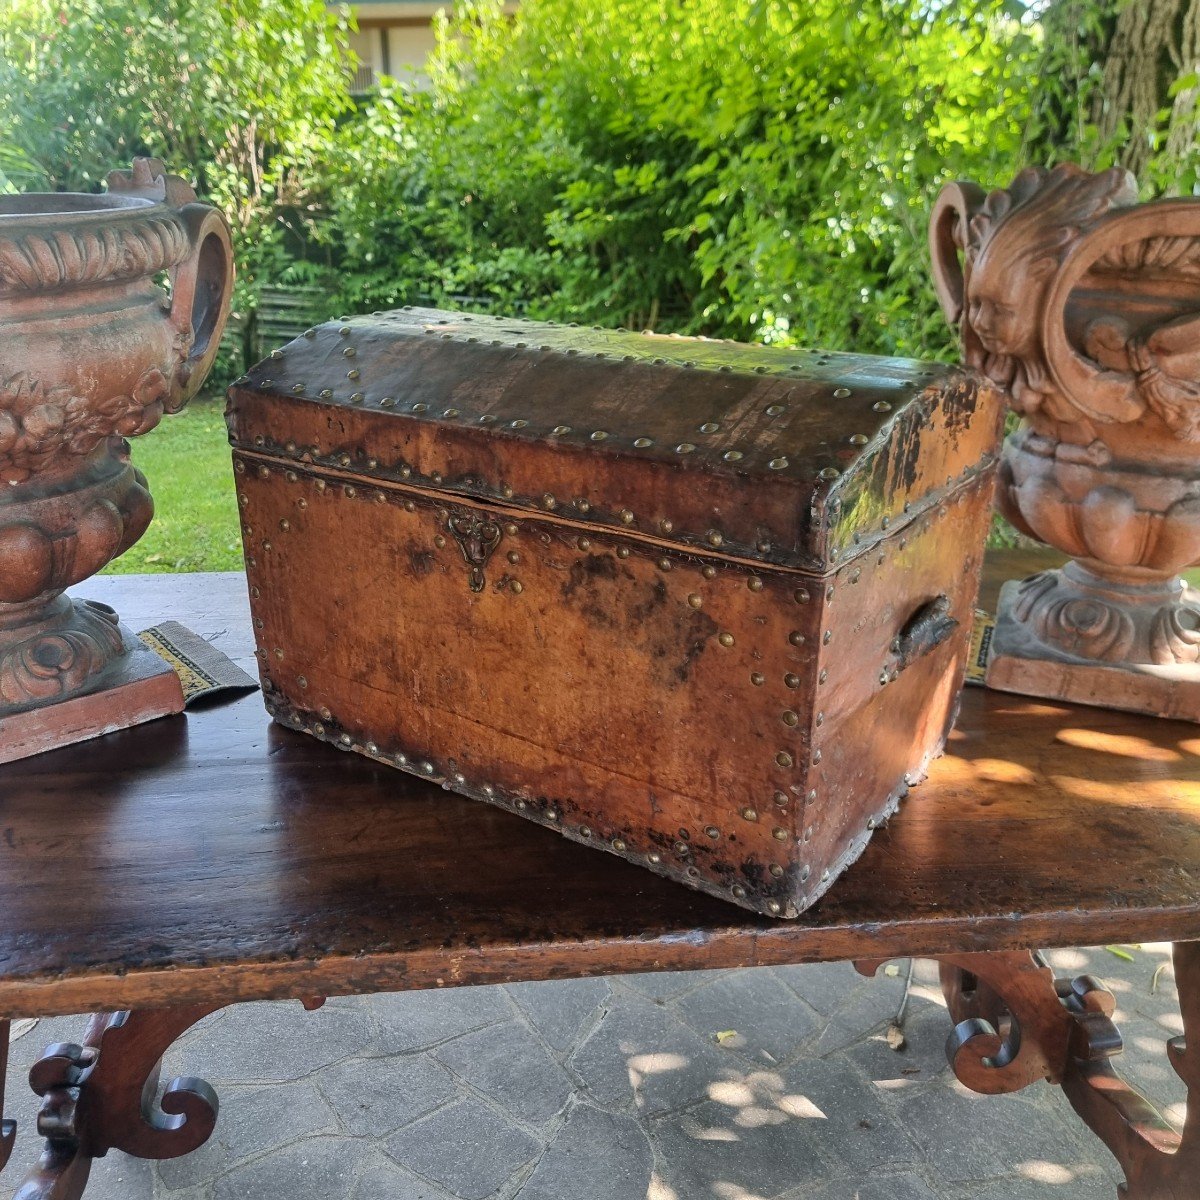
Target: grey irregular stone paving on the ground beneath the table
[(769, 1084)]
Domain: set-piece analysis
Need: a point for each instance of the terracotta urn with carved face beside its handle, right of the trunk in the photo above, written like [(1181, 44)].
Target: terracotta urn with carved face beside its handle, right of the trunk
[(1087, 307)]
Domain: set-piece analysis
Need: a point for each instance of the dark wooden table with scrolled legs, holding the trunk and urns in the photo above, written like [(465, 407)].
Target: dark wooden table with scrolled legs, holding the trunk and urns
[(160, 874)]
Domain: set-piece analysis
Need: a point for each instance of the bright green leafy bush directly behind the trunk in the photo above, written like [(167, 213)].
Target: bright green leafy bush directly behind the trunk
[(758, 171)]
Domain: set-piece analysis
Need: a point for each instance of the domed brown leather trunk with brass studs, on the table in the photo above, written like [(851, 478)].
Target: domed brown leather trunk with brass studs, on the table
[(697, 604)]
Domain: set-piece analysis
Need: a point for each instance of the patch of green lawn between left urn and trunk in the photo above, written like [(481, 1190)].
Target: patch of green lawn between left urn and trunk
[(187, 461)]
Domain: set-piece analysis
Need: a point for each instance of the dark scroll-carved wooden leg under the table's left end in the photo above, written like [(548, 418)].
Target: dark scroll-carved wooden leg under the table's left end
[(103, 1096)]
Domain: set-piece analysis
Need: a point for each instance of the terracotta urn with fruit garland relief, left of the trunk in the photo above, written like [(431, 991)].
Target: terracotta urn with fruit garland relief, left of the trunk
[(93, 352)]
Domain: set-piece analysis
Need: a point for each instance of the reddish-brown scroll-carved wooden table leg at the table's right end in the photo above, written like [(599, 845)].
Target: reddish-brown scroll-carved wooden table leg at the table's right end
[(1017, 1024)]
